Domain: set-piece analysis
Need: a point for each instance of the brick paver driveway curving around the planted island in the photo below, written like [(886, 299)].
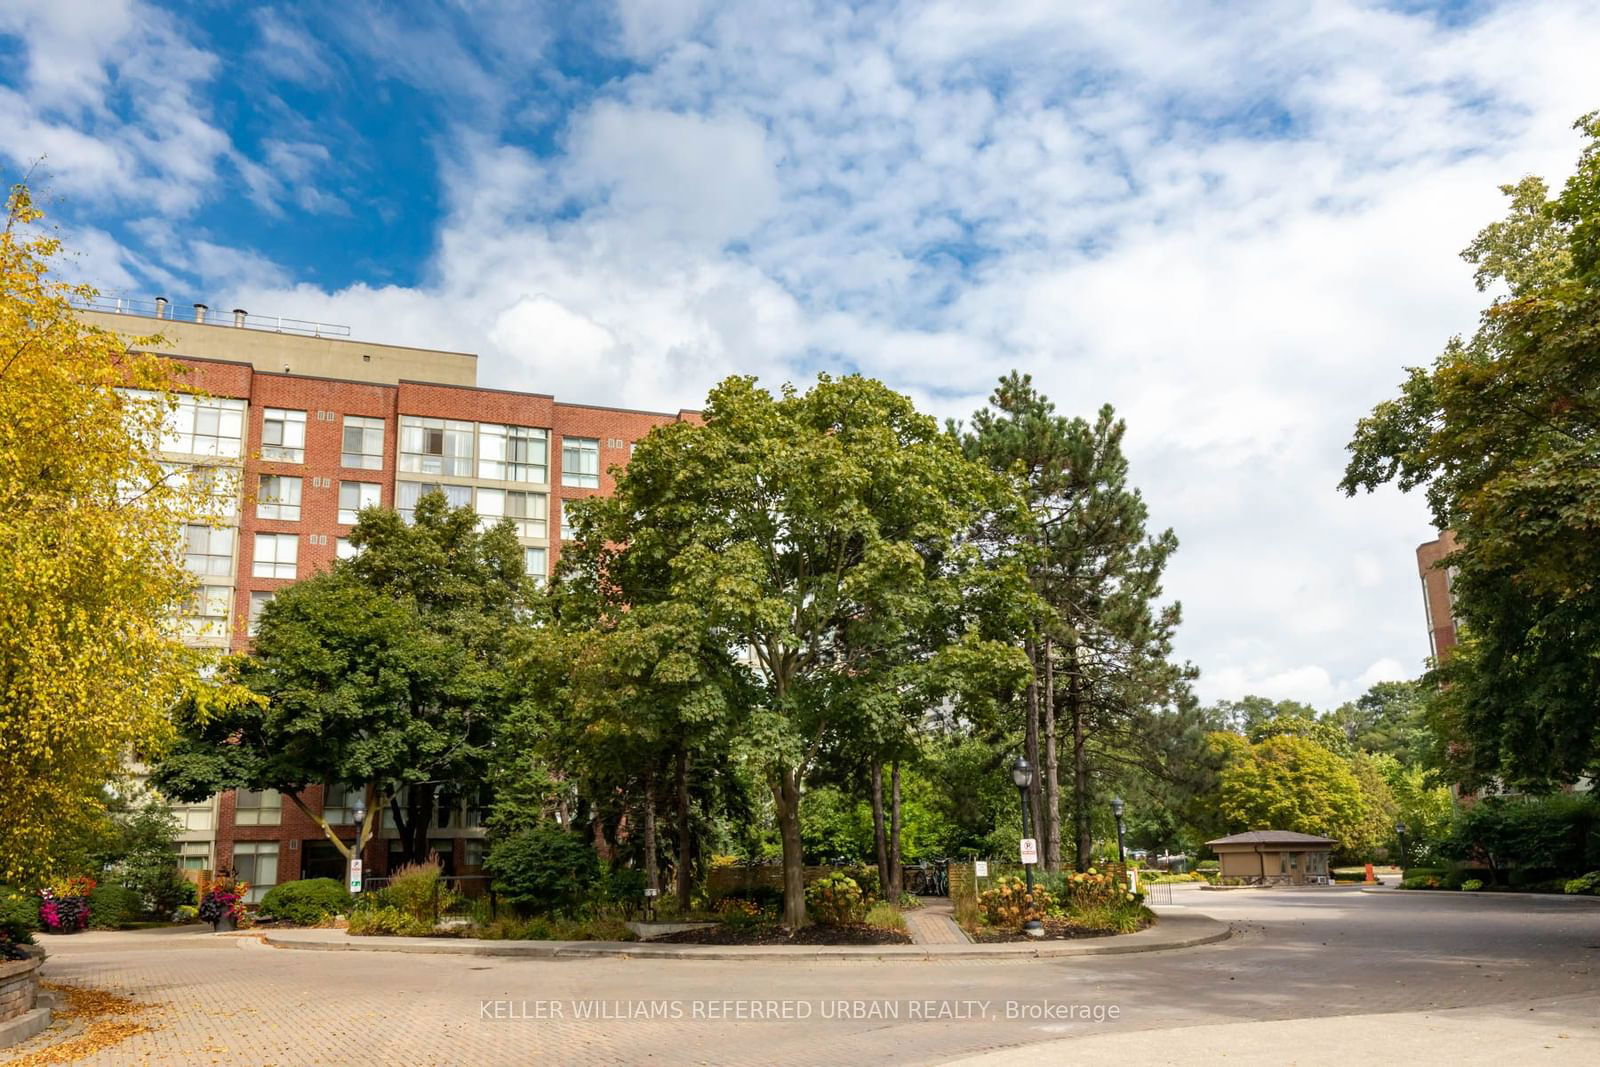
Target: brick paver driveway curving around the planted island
[(1311, 954)]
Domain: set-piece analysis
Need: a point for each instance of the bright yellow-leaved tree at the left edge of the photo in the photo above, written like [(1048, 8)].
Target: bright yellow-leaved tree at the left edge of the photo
[(92, 577)]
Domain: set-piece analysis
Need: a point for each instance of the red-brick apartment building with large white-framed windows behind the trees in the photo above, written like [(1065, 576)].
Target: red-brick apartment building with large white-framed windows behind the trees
[(298, 428)]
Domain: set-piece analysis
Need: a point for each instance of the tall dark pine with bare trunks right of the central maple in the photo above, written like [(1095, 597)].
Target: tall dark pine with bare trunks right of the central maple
[(1100, 641)]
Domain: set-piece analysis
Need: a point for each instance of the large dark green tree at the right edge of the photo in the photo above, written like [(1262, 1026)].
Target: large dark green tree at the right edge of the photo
[(1503, 433)]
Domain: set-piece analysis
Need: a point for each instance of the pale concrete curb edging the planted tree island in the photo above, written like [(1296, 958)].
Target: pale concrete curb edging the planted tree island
[(1172, 932)]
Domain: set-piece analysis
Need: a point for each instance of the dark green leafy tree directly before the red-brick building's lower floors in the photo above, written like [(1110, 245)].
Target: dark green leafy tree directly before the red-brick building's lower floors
[(386, 671)]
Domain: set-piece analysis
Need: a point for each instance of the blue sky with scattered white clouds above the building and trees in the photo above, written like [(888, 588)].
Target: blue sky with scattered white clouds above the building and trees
[(1233, 222)]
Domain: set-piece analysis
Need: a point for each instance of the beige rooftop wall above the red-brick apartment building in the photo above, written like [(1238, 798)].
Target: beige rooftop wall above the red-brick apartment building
[(297, 354)]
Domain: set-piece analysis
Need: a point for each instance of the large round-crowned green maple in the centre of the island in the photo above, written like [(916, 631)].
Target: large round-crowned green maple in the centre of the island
[(818, 535)]
